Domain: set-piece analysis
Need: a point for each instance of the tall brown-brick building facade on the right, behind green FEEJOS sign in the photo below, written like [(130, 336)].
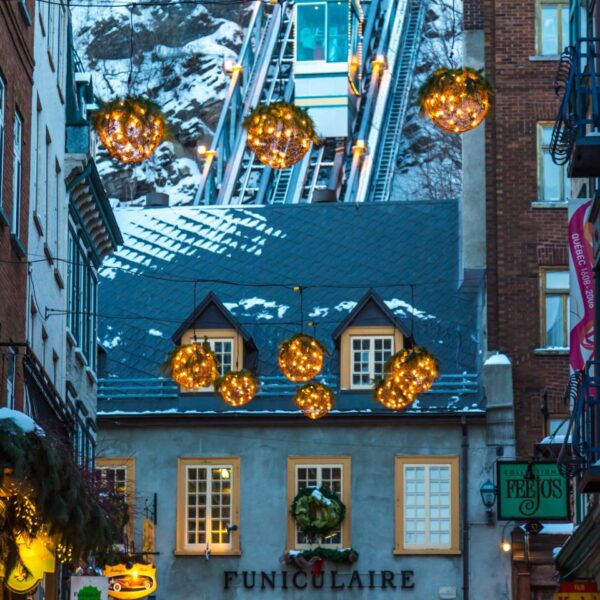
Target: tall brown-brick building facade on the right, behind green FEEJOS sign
[(526, 234)]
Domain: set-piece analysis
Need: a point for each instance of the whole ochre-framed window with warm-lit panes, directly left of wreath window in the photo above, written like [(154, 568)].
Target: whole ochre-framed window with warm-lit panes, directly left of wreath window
[(208, 505)]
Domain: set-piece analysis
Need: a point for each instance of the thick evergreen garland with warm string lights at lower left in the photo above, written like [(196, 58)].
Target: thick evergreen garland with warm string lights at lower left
[(43, 488)]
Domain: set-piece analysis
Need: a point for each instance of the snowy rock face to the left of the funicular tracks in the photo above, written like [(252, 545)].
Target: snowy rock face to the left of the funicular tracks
[(178, 52)]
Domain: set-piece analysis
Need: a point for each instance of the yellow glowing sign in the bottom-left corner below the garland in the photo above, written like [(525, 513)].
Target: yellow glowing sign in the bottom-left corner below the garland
[(37, 559)]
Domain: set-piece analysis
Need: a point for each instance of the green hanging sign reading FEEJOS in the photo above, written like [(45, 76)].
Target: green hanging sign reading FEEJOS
[(532, 492)]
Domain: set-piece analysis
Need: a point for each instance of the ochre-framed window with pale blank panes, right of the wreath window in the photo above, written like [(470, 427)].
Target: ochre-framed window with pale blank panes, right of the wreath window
[(427, 518)]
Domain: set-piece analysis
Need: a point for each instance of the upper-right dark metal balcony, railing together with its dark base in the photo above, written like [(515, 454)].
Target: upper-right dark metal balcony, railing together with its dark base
[(576, 134)]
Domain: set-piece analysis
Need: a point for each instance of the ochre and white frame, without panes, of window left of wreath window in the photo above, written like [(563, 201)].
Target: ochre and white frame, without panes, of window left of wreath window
[(232, 547)]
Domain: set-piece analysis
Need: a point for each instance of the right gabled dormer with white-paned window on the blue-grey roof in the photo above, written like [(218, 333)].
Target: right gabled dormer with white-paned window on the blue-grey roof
[(368, 336)]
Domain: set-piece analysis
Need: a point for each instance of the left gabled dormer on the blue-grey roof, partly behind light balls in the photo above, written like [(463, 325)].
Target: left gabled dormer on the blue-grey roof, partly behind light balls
[(231, 343)]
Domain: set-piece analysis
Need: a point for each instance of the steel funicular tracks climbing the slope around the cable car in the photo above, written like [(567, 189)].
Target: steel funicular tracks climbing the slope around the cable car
[(338, 169)]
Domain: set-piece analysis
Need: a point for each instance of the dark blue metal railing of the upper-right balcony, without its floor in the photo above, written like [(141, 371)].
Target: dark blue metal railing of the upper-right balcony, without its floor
[(579, 114)]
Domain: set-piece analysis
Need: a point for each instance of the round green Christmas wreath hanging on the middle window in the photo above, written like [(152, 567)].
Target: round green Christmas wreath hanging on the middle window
[(317, 510)]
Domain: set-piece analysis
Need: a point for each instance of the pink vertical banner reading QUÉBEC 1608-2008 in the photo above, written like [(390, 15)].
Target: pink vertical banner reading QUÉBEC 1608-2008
[(581, 284)]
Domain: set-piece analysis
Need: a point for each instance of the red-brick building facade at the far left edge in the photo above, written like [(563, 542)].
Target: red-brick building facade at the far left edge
[(16, 80)]
